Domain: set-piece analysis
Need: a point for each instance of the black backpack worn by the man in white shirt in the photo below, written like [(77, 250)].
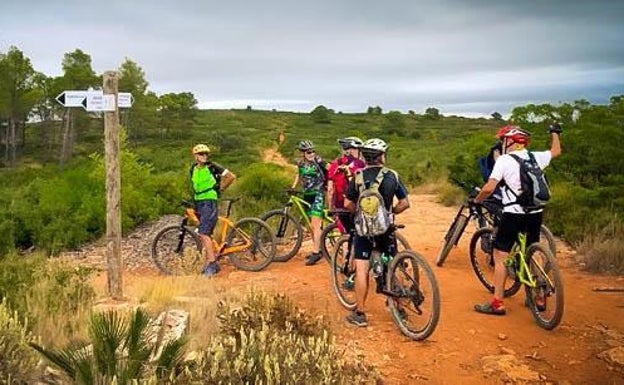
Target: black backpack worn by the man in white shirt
[(534, 190)]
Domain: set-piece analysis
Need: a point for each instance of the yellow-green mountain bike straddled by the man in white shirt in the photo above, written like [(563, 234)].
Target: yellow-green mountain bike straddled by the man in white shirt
[(533, 266)]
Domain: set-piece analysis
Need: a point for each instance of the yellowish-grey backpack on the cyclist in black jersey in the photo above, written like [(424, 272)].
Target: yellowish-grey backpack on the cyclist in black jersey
[(371, 216)]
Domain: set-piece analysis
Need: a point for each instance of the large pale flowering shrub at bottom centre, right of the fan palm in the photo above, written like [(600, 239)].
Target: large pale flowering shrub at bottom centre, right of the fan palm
[(267, 340)]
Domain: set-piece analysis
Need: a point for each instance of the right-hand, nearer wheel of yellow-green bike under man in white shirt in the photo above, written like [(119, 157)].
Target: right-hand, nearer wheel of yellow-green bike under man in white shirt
[(545, 300)]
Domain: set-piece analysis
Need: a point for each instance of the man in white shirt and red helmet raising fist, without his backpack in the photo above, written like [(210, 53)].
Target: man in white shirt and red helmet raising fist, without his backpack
[(515, 218)]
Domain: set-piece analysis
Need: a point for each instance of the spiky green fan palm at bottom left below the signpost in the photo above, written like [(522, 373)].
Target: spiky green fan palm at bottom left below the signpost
[(119, 349)]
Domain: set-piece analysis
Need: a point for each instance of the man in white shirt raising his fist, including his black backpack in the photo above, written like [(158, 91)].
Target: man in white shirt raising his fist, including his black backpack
[(525, 193)]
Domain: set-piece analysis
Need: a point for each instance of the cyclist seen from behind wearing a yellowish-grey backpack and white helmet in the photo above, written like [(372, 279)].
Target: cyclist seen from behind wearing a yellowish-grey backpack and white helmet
[(369, 197)]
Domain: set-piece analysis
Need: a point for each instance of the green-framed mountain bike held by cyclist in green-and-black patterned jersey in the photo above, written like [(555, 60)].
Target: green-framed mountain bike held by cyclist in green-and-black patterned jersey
[(288, 224)]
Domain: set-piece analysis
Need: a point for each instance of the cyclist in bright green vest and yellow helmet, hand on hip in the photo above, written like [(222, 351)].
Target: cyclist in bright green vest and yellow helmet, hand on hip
[(207, 179)]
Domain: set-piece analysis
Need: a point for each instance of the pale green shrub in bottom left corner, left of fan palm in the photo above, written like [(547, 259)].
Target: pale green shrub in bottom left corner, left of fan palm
[(18, 362)]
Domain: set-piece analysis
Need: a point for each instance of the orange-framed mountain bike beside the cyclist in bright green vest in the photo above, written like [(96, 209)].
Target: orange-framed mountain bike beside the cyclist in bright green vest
[(249, 243)]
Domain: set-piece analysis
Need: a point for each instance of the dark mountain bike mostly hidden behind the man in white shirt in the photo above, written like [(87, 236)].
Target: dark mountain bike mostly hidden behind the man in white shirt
[(486, 214)]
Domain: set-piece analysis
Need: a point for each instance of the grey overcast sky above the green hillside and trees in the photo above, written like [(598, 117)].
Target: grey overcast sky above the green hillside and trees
[(464, 57)]
